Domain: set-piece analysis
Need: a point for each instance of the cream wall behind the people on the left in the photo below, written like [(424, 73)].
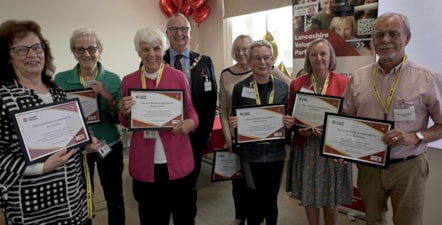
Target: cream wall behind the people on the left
[(116, 21)]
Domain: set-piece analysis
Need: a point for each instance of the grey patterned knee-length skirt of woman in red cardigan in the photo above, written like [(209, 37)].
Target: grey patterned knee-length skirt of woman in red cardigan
[(315, 180)]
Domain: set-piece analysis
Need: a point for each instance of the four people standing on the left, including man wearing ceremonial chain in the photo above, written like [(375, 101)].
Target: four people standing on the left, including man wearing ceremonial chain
[(164, 164)]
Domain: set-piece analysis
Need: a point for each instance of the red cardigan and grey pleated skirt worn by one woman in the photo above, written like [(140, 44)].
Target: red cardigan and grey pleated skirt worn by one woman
[(313, 179)]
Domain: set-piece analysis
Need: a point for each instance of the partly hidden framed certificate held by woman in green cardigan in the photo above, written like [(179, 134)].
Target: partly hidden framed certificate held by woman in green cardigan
[(89, 104)]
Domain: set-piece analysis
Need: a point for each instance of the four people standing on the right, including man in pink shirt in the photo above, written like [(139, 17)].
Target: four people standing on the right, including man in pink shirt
[(319, 182)]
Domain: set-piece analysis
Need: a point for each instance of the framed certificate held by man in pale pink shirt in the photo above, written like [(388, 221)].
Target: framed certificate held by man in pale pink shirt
[(356, 139)]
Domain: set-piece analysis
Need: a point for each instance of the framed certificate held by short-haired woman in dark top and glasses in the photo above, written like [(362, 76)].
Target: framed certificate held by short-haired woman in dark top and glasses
[(260, 123)]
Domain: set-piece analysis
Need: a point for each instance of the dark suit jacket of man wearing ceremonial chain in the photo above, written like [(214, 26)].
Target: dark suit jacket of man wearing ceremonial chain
[(204, 102)]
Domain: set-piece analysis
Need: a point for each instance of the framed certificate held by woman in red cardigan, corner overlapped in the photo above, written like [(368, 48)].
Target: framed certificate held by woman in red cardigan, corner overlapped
[(309, 109)]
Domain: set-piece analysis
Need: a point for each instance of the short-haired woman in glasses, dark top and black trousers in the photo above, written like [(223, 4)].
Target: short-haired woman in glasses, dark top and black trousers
[(262, 161)]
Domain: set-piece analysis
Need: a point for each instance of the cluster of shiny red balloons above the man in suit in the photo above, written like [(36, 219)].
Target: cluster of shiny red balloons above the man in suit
[(198, 9)]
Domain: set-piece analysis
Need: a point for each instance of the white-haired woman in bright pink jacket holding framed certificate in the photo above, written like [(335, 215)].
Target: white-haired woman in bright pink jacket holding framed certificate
[(160, 158)]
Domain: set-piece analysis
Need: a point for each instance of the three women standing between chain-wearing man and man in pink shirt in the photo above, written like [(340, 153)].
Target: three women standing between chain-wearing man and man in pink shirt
[(316, 181)]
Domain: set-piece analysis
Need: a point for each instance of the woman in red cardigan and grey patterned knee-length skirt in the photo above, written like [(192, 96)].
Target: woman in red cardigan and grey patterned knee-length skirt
[(314, 180)]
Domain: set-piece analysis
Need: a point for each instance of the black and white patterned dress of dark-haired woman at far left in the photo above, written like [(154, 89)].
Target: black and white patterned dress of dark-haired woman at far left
[(54, 198)]
